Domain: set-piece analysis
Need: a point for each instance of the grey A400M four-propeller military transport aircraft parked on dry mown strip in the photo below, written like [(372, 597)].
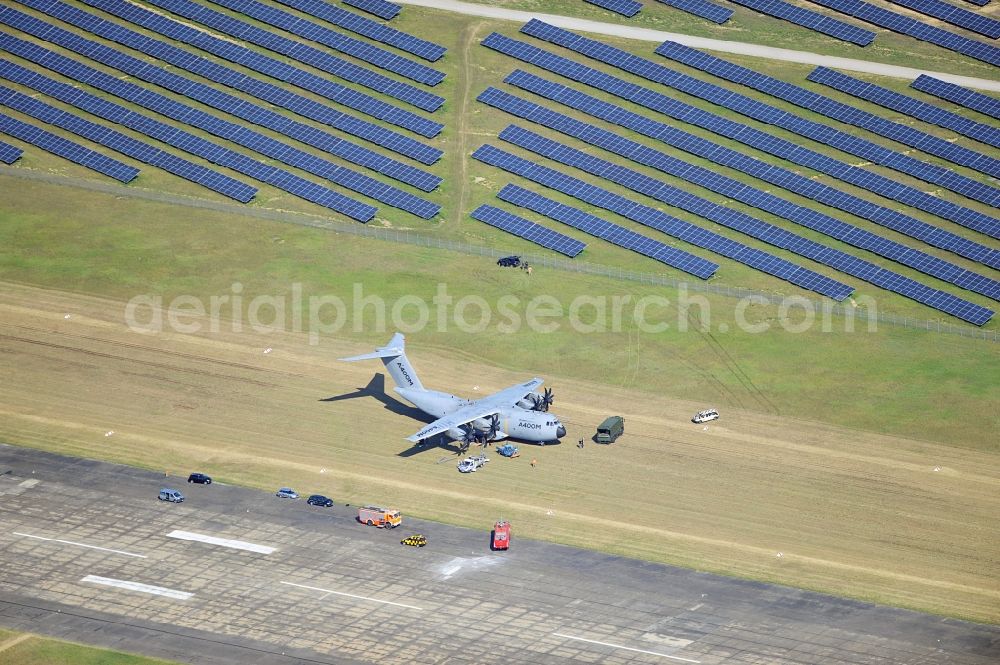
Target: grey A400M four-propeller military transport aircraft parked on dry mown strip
[(517, 412)]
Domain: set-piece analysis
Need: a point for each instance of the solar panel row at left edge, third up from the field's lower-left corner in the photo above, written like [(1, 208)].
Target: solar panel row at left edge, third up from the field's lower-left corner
[(126, 145)]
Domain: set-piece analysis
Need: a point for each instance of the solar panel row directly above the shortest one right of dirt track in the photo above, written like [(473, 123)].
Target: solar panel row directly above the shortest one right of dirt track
[(613, 233)]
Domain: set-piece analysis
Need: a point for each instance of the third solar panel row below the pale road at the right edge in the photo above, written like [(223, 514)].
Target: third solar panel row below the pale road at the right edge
[(813, 101)]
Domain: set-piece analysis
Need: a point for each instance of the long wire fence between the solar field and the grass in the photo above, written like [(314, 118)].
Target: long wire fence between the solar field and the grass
[(568, 265)]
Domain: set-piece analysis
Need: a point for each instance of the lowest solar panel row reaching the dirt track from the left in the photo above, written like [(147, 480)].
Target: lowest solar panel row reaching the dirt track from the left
[(183, 113)]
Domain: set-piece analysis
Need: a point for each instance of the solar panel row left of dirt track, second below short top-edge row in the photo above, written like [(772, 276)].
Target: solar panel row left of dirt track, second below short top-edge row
[(337, 41)]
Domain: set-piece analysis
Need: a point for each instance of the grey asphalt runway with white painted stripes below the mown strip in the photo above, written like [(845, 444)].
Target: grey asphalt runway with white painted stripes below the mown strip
[(88, 553)]
